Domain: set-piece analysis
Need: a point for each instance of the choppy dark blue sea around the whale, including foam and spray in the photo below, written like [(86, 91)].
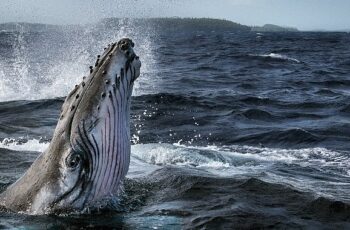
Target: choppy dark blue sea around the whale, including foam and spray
[(230, 129)]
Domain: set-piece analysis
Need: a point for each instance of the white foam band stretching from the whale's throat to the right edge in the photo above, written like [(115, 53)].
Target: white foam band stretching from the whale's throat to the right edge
[(238, 159)]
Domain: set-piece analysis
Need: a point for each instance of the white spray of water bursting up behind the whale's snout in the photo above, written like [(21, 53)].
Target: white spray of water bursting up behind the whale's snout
[(51, 64)]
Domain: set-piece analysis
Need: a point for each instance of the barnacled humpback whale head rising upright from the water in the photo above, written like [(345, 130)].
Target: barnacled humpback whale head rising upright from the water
[(89, 154)]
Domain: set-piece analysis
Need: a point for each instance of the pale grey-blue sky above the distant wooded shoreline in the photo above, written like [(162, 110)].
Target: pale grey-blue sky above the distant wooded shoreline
[(303, 14)]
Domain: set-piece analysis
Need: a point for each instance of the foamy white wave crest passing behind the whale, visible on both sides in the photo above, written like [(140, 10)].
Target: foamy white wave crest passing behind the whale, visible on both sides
[(211, 156)]
